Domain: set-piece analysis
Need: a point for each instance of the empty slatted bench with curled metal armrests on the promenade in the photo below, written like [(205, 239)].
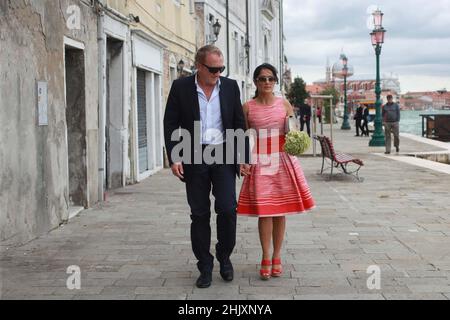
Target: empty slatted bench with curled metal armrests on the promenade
[(340, 160)]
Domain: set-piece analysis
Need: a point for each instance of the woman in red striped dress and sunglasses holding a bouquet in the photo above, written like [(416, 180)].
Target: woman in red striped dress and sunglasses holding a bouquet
[(274, 186)]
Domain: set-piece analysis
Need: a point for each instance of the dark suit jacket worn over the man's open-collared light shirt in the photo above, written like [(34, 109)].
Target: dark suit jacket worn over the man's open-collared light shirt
[(183, 109)]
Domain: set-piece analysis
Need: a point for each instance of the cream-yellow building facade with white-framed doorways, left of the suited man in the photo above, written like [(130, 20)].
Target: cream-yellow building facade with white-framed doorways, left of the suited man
[(141, 47)]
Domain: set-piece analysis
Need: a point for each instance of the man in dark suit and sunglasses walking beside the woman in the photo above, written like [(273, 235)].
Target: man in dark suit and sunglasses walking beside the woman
[(206, 105)]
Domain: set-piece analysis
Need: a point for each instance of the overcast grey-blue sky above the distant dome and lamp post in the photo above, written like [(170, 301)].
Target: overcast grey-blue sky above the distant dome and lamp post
[(416, 48)]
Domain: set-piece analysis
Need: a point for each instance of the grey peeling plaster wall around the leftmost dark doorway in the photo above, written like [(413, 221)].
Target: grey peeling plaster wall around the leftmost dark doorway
[(34, 184)]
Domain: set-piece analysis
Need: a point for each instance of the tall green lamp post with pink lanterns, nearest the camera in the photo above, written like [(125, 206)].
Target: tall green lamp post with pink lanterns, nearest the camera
[(377, 37)]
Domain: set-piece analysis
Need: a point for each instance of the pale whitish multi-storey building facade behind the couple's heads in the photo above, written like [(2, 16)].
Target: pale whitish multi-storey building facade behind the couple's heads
[(251, 34)]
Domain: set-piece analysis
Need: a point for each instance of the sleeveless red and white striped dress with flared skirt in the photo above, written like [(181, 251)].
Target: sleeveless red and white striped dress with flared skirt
[(276, 186)]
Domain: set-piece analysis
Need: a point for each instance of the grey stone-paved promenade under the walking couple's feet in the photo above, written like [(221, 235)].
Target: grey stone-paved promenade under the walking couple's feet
[(136, 245)]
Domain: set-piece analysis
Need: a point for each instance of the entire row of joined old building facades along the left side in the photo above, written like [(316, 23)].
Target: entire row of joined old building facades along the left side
[(82, 108)]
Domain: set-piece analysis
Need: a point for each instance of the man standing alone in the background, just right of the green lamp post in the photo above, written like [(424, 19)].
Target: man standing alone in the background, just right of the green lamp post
[(391, 119)]
